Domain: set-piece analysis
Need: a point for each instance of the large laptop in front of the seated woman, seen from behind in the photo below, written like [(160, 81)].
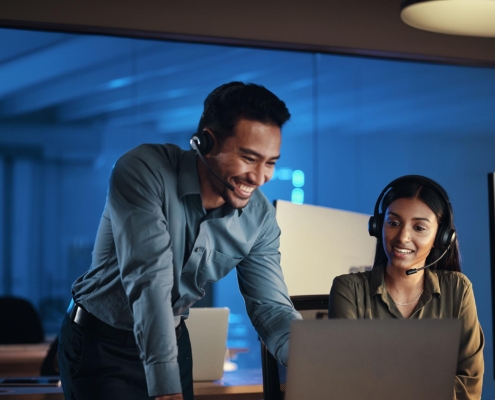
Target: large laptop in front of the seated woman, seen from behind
[(373, 359)]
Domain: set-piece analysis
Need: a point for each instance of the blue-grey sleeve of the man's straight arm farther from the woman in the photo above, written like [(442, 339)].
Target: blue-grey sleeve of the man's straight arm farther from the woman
[(143, 248)]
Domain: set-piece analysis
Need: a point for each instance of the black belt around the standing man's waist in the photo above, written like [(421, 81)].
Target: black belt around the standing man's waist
[(88, 321)]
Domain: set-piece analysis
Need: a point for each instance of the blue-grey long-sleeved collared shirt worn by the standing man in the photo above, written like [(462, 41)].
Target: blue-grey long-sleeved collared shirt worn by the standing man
[(156, 247)]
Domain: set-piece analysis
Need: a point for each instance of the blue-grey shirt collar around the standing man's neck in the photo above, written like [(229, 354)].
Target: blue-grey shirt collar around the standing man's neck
[(189, 182)]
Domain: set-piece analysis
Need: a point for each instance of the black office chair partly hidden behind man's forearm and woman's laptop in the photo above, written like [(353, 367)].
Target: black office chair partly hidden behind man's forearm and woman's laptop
[(274, 373)]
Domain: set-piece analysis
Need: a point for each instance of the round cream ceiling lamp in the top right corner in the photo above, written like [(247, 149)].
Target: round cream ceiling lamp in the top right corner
[(454, 17)]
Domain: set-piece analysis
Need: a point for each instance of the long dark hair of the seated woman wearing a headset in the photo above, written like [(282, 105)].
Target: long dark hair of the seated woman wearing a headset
[(417, 189)]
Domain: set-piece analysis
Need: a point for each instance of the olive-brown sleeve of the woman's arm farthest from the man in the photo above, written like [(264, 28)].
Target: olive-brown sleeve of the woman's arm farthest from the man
[(470, 364)]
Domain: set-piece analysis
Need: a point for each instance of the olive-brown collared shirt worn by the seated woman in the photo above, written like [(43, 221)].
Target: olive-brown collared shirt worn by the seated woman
[(446, 294)]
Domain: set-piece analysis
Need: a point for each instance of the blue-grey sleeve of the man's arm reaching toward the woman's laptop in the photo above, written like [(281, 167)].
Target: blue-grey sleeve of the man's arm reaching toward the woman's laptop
[(262, 285)]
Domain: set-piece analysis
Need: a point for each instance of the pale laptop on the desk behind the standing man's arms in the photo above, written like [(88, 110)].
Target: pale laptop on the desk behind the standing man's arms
[(208, 334)]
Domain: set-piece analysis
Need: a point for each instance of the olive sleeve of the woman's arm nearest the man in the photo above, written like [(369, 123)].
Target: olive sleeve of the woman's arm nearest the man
[(342, 302)]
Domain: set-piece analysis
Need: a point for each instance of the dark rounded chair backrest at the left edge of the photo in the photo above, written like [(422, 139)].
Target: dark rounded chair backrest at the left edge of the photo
[(21, 323)]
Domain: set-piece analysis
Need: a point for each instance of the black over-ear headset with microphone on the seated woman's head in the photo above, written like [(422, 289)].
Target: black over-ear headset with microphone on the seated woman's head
[(445, 235)]
